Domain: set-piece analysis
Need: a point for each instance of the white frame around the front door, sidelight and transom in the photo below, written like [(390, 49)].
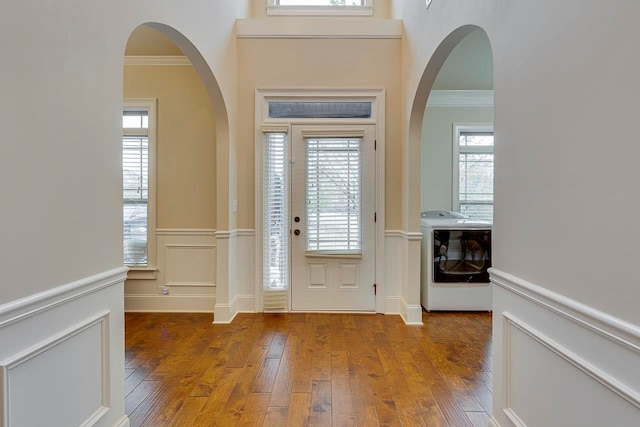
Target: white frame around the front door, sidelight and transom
[(263, 122)]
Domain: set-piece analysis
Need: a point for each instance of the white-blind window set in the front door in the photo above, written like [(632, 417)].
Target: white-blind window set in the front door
[(333, 195)]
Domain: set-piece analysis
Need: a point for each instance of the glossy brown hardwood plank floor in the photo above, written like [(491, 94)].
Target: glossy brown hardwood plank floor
[(308, 369)]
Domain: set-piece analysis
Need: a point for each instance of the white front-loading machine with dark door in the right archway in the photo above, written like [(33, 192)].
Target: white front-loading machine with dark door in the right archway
[(456, 253)]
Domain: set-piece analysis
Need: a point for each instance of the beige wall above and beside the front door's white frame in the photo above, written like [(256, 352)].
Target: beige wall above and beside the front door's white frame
[(317, 64)]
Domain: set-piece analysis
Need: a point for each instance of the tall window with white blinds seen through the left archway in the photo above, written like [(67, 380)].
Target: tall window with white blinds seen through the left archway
[(137, 182)]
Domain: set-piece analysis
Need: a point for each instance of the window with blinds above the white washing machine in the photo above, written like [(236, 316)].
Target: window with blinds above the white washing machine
[(474, 182)]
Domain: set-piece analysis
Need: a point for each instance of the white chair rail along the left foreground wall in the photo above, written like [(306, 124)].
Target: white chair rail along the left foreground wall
[(35, 304)]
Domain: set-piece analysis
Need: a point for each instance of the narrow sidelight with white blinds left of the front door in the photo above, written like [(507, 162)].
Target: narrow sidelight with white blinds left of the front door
[(275, 211)]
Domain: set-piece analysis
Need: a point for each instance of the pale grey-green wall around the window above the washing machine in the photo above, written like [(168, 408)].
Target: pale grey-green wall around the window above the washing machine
[(437, 151)]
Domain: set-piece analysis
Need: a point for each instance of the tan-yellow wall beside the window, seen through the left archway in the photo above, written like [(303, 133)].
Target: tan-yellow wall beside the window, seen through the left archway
[(186, 143)]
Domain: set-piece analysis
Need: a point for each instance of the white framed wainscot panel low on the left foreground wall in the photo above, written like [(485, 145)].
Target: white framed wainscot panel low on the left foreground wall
[(46, 373)]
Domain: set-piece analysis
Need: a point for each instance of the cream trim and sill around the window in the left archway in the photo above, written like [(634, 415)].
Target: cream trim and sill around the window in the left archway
[(148, 272)]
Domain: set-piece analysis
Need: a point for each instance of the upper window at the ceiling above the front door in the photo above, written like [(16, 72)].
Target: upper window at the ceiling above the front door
[(320, 7)]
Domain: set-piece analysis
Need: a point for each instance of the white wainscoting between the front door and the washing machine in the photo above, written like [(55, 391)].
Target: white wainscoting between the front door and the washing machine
[(402, 275)]
